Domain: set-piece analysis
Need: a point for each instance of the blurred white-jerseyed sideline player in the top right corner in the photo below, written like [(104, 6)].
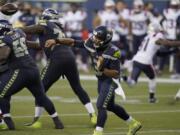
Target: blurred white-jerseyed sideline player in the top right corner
[(171, 20)]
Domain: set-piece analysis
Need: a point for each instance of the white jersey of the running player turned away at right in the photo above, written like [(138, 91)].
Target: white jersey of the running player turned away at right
[(148, 49)]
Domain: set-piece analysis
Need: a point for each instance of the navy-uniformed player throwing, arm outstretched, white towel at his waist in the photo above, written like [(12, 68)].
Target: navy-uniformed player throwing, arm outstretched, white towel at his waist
[(105, 59)]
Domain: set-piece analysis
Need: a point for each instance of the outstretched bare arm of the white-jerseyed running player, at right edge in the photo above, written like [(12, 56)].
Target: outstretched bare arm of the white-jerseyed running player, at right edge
[(168, 43)]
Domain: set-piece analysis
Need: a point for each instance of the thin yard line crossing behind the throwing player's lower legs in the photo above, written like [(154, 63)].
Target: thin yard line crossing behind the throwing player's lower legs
[(85, 114)]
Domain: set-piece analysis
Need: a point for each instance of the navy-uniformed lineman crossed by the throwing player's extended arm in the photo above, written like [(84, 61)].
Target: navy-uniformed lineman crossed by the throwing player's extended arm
[(61, 61)]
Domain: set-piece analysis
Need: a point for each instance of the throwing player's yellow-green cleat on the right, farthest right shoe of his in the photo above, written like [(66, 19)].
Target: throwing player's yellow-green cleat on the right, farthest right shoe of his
[(134, 127)]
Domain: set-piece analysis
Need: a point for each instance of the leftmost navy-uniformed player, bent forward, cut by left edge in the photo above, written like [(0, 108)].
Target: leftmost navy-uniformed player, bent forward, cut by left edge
[(19, 71)]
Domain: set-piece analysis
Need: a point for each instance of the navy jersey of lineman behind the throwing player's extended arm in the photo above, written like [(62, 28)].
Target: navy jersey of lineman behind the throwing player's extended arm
[(52, 31)]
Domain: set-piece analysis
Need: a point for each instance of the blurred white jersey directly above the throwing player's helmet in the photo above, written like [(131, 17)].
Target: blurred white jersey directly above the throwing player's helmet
[(111, 20)]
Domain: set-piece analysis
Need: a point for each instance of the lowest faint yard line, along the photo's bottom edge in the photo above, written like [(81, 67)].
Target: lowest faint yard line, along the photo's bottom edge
[(141, 132)]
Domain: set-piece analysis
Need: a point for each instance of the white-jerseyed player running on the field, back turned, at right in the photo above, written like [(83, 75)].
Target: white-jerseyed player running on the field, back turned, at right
[(143, 60)]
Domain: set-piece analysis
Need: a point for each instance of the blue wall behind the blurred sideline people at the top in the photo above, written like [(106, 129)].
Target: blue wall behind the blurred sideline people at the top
[(90, 5)]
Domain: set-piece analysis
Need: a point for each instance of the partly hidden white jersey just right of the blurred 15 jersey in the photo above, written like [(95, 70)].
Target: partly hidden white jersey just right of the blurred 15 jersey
[(125, 15)]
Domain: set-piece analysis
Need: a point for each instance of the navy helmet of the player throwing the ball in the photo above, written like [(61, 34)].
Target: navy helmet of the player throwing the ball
[(102, 36)]
